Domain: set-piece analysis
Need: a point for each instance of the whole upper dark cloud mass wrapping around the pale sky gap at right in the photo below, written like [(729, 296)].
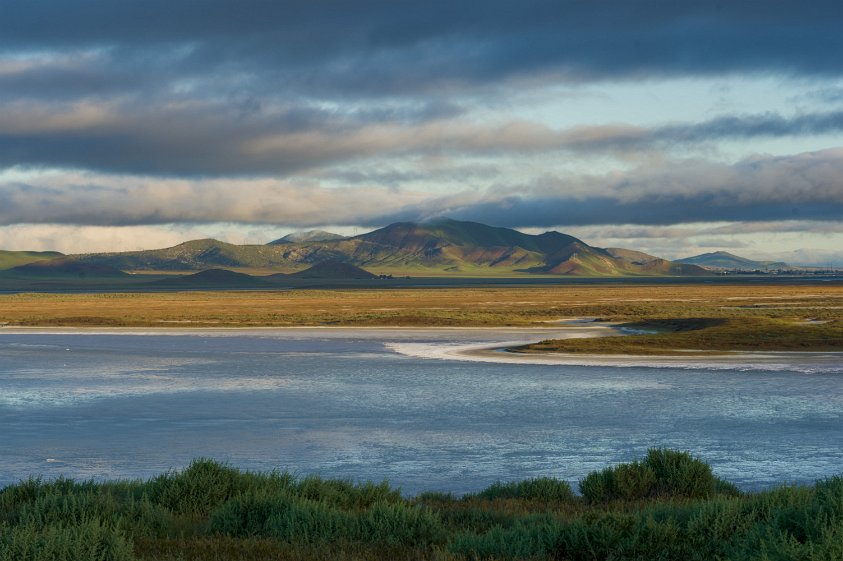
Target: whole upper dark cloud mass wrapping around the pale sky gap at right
[(263, 87)]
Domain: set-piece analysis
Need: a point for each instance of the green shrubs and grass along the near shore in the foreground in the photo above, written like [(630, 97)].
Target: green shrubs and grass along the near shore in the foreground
[(668, 505)]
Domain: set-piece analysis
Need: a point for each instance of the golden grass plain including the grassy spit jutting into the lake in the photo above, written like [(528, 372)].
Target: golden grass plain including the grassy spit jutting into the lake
[(763, 317)]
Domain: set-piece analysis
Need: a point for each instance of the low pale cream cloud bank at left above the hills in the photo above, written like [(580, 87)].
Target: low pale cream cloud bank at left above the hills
[(119, 201)]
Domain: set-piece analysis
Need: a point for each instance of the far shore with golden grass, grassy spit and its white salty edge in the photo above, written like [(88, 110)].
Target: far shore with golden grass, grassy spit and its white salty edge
[(550, 324)]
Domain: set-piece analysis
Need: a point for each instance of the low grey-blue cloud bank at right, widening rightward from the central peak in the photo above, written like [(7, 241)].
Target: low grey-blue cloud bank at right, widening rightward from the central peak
[(802, 187)]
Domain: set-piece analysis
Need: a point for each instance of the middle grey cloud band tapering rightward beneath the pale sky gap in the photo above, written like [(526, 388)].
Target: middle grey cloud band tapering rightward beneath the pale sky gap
[(239, 136)]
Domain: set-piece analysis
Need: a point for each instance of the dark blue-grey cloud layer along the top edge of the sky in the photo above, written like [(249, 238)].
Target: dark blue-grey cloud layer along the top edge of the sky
[(376, 47)]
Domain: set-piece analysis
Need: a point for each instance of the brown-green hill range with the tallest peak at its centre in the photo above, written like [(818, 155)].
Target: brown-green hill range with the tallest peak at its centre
[(438, 247)]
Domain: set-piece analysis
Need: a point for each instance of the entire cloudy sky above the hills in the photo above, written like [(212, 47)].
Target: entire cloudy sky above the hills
[(670, 127)]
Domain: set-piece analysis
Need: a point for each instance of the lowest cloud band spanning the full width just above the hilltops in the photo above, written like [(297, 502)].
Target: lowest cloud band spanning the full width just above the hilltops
[(804, 187)]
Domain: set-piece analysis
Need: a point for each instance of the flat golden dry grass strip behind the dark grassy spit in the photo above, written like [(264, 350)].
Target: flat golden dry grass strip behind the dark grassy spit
[(425, 307)]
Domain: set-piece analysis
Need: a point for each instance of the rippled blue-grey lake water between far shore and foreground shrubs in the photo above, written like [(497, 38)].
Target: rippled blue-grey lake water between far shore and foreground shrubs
[(354, 404)]
